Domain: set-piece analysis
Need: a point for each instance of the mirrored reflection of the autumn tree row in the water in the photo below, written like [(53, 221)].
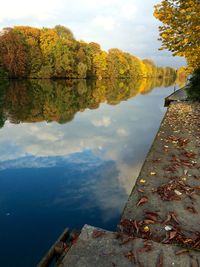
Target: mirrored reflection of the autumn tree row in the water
[(60, 100)]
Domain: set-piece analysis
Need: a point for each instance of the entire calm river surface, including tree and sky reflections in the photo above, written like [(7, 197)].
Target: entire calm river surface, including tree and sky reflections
[(70, 153)]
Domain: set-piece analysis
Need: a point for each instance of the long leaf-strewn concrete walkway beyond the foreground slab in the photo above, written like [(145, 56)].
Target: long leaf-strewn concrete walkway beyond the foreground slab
[(166, 197)]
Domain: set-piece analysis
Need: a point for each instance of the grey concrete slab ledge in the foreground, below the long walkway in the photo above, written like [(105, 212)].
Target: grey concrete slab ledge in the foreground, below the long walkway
[(96, 247)]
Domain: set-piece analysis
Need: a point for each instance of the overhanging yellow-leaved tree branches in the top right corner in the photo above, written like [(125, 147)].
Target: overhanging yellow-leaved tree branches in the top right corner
[(180, 32)]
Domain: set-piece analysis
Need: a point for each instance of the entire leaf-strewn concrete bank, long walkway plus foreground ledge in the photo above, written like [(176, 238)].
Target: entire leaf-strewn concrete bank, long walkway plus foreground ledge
[(160, 223)]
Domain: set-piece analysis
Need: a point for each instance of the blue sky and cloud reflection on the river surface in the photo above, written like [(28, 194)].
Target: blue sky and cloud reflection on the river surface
[(53, 175)]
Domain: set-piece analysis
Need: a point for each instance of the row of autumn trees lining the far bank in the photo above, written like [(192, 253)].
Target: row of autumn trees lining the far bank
[(55, 53)]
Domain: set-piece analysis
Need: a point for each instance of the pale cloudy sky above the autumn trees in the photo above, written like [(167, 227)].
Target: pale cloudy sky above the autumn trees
[(125, 24)]
